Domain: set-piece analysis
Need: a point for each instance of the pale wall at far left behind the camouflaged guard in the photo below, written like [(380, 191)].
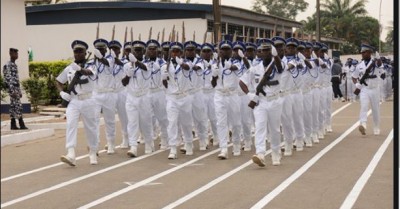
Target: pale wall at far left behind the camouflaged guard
[(14, 34)]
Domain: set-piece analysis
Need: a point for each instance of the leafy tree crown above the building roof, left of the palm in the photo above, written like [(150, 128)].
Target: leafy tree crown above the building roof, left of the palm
[(282, 8)]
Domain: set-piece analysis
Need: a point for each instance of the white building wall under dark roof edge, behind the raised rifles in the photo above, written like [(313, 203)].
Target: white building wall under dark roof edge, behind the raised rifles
[(53, 42)]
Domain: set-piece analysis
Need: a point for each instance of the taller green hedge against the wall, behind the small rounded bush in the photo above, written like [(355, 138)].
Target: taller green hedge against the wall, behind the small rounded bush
[(47, 73)]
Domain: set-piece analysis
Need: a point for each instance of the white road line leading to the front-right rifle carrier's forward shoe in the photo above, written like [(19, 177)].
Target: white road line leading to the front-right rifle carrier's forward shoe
[(225, 176)]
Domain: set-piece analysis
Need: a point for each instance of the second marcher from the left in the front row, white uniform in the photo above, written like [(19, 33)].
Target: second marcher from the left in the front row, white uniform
[(138, 102)]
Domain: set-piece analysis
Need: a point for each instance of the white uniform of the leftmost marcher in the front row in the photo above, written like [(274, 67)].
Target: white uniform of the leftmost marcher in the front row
[(83, 105)]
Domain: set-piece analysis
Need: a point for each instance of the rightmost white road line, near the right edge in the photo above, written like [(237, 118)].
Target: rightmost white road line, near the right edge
[(355, 192)]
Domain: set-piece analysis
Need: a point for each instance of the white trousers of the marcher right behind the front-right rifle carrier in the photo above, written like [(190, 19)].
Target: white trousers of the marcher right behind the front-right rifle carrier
[(287, 118)]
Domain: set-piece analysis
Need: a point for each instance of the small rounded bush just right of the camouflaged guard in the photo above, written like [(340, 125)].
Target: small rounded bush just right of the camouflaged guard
[(34, 88)]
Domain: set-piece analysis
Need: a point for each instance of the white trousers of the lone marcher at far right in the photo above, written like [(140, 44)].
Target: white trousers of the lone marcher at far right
[(370, 97)]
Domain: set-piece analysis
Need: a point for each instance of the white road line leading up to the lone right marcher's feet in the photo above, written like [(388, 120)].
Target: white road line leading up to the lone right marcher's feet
[(269, 197)]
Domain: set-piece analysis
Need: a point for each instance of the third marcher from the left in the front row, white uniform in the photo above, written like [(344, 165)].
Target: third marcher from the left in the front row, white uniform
[(179, 103)]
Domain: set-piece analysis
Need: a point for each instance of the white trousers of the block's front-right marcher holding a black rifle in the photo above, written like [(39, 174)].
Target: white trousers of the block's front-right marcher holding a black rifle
[(267, 116)]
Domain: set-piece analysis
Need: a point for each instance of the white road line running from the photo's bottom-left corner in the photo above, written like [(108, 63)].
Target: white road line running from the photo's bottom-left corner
[(40, 192)]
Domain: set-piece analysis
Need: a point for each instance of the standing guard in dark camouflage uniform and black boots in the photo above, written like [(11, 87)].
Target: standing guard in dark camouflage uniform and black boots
[(10, 71)]
